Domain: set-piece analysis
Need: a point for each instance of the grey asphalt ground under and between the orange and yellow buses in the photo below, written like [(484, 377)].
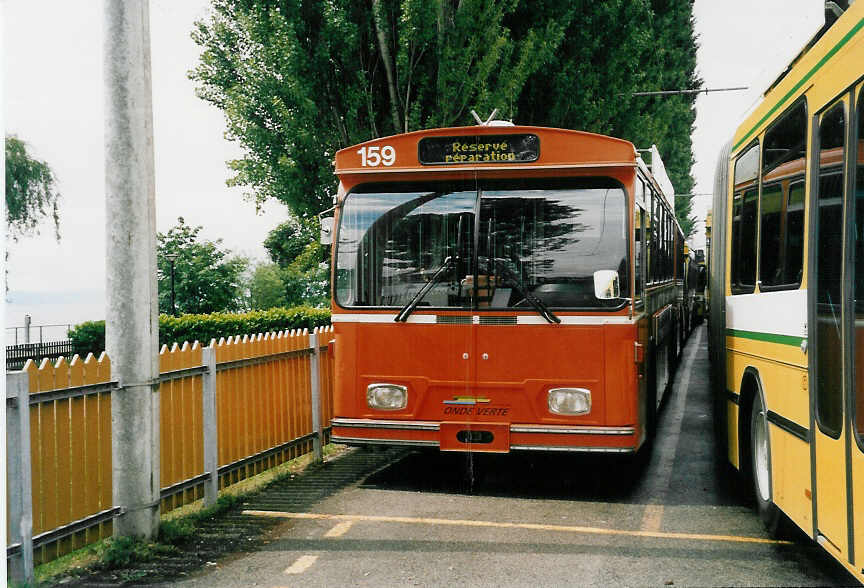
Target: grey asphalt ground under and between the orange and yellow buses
[(430, 519)]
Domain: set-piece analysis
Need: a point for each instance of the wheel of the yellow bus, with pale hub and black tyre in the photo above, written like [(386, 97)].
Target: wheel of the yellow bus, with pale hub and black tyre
[(760, 464)]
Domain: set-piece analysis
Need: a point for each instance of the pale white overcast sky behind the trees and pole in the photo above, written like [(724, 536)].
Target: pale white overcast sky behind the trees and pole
[(52, 99)]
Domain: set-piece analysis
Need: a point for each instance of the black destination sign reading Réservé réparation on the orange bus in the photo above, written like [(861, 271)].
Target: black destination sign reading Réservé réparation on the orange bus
[(478, 149)]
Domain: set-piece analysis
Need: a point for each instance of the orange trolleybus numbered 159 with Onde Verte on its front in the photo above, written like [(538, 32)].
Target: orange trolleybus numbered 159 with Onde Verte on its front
[(501, 288)]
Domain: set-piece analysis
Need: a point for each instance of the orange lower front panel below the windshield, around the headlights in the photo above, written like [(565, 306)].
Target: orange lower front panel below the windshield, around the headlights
[(502, 381)]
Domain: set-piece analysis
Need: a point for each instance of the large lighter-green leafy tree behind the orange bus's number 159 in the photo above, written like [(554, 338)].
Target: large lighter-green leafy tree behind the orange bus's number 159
[(299, 79)]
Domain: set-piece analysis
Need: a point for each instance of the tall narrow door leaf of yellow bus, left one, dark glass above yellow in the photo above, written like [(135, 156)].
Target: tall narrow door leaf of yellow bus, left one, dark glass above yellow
[(829, 356)]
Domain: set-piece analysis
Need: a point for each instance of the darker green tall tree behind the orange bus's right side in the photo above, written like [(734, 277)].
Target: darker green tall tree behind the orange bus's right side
[(611, 50)]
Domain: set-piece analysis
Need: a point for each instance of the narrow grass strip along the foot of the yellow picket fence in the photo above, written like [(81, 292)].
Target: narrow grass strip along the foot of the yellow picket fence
[(177, 527)]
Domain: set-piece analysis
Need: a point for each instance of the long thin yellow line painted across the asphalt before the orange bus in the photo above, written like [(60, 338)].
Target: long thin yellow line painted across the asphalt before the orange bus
[(529, 526)]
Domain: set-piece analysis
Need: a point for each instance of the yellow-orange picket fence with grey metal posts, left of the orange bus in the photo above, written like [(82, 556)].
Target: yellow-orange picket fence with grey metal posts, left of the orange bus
[(227, 411)]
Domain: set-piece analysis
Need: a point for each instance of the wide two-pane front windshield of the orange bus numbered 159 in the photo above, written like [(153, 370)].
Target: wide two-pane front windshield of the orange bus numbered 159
[(495, 241)]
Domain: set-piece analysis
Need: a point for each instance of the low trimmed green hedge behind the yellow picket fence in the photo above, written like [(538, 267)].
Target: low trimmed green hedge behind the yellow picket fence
[(89, 337)]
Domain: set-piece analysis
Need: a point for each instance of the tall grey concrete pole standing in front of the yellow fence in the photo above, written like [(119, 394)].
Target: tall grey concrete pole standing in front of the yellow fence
[(132, 327)]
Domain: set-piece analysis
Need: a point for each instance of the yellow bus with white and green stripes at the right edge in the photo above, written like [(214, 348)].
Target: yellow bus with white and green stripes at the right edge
[(786, 317)]
